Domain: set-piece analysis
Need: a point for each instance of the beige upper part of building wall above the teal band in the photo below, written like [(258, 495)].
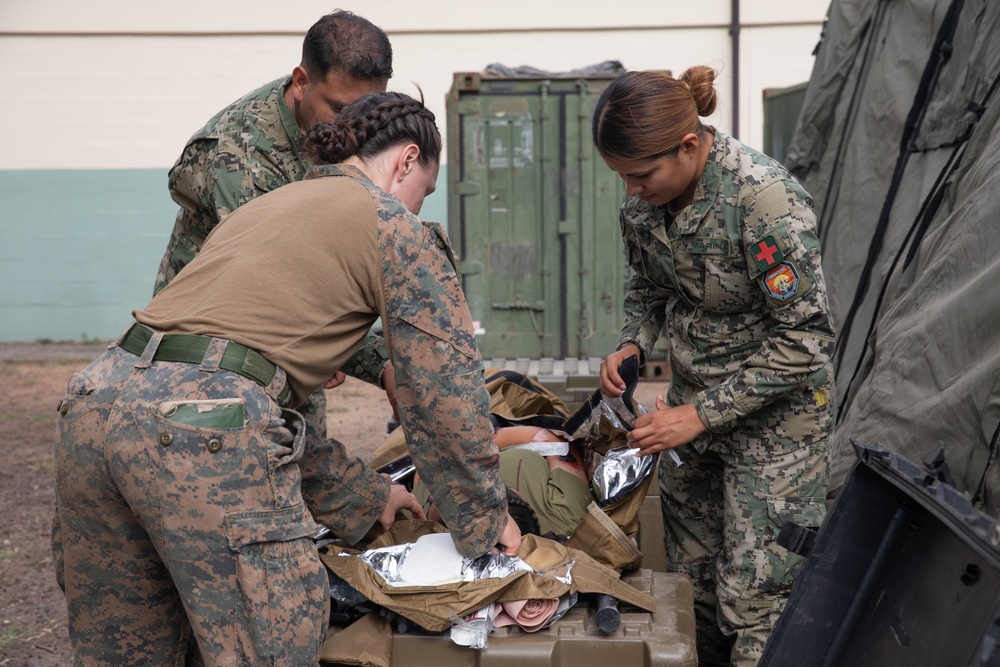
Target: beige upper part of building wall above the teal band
[(115, 84)]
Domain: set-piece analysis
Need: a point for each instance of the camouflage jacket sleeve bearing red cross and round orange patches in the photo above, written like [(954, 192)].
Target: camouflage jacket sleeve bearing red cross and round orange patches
[(801, 338)]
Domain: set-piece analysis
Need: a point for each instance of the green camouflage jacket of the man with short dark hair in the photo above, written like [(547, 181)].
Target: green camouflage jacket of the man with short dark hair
[(251, 147)]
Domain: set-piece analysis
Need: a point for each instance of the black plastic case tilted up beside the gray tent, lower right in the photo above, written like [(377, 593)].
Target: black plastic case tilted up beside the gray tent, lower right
[(903, 572)]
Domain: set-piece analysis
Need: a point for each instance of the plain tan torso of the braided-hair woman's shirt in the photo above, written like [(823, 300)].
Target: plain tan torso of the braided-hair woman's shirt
[(246, 285)]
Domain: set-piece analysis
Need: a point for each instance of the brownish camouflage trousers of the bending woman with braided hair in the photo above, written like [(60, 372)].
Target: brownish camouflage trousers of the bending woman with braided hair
[(180, 526)]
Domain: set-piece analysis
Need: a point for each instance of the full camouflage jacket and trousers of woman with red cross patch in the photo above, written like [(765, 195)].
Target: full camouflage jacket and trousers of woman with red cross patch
[(734, 279)]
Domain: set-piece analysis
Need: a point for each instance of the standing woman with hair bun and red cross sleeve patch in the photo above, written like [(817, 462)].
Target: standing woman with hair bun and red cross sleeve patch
[(726, 260)]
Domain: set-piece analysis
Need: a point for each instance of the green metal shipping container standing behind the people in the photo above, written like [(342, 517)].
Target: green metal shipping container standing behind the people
[(533, 215)]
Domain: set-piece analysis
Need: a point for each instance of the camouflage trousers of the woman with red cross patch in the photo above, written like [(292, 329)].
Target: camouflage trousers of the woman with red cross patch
[(722, 511)]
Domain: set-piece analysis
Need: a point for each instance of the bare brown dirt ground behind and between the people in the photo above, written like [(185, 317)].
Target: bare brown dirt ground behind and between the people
[(33, 621)]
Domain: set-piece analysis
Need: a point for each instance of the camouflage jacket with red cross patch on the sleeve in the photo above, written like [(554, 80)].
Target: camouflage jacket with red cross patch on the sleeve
[(736, 278)]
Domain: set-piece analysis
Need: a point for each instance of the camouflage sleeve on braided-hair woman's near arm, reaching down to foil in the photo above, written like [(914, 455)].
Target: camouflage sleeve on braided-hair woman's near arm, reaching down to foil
[(443, 402)]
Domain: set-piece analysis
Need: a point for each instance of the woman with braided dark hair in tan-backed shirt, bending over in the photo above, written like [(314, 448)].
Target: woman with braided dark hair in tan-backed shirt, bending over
[(188, 491)]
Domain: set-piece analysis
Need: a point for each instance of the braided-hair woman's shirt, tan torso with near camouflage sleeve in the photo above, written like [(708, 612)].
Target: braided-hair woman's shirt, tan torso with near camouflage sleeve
[(301, 273)]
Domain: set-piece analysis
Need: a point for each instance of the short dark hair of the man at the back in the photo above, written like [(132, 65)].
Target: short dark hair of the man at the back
[(345, 42)]
